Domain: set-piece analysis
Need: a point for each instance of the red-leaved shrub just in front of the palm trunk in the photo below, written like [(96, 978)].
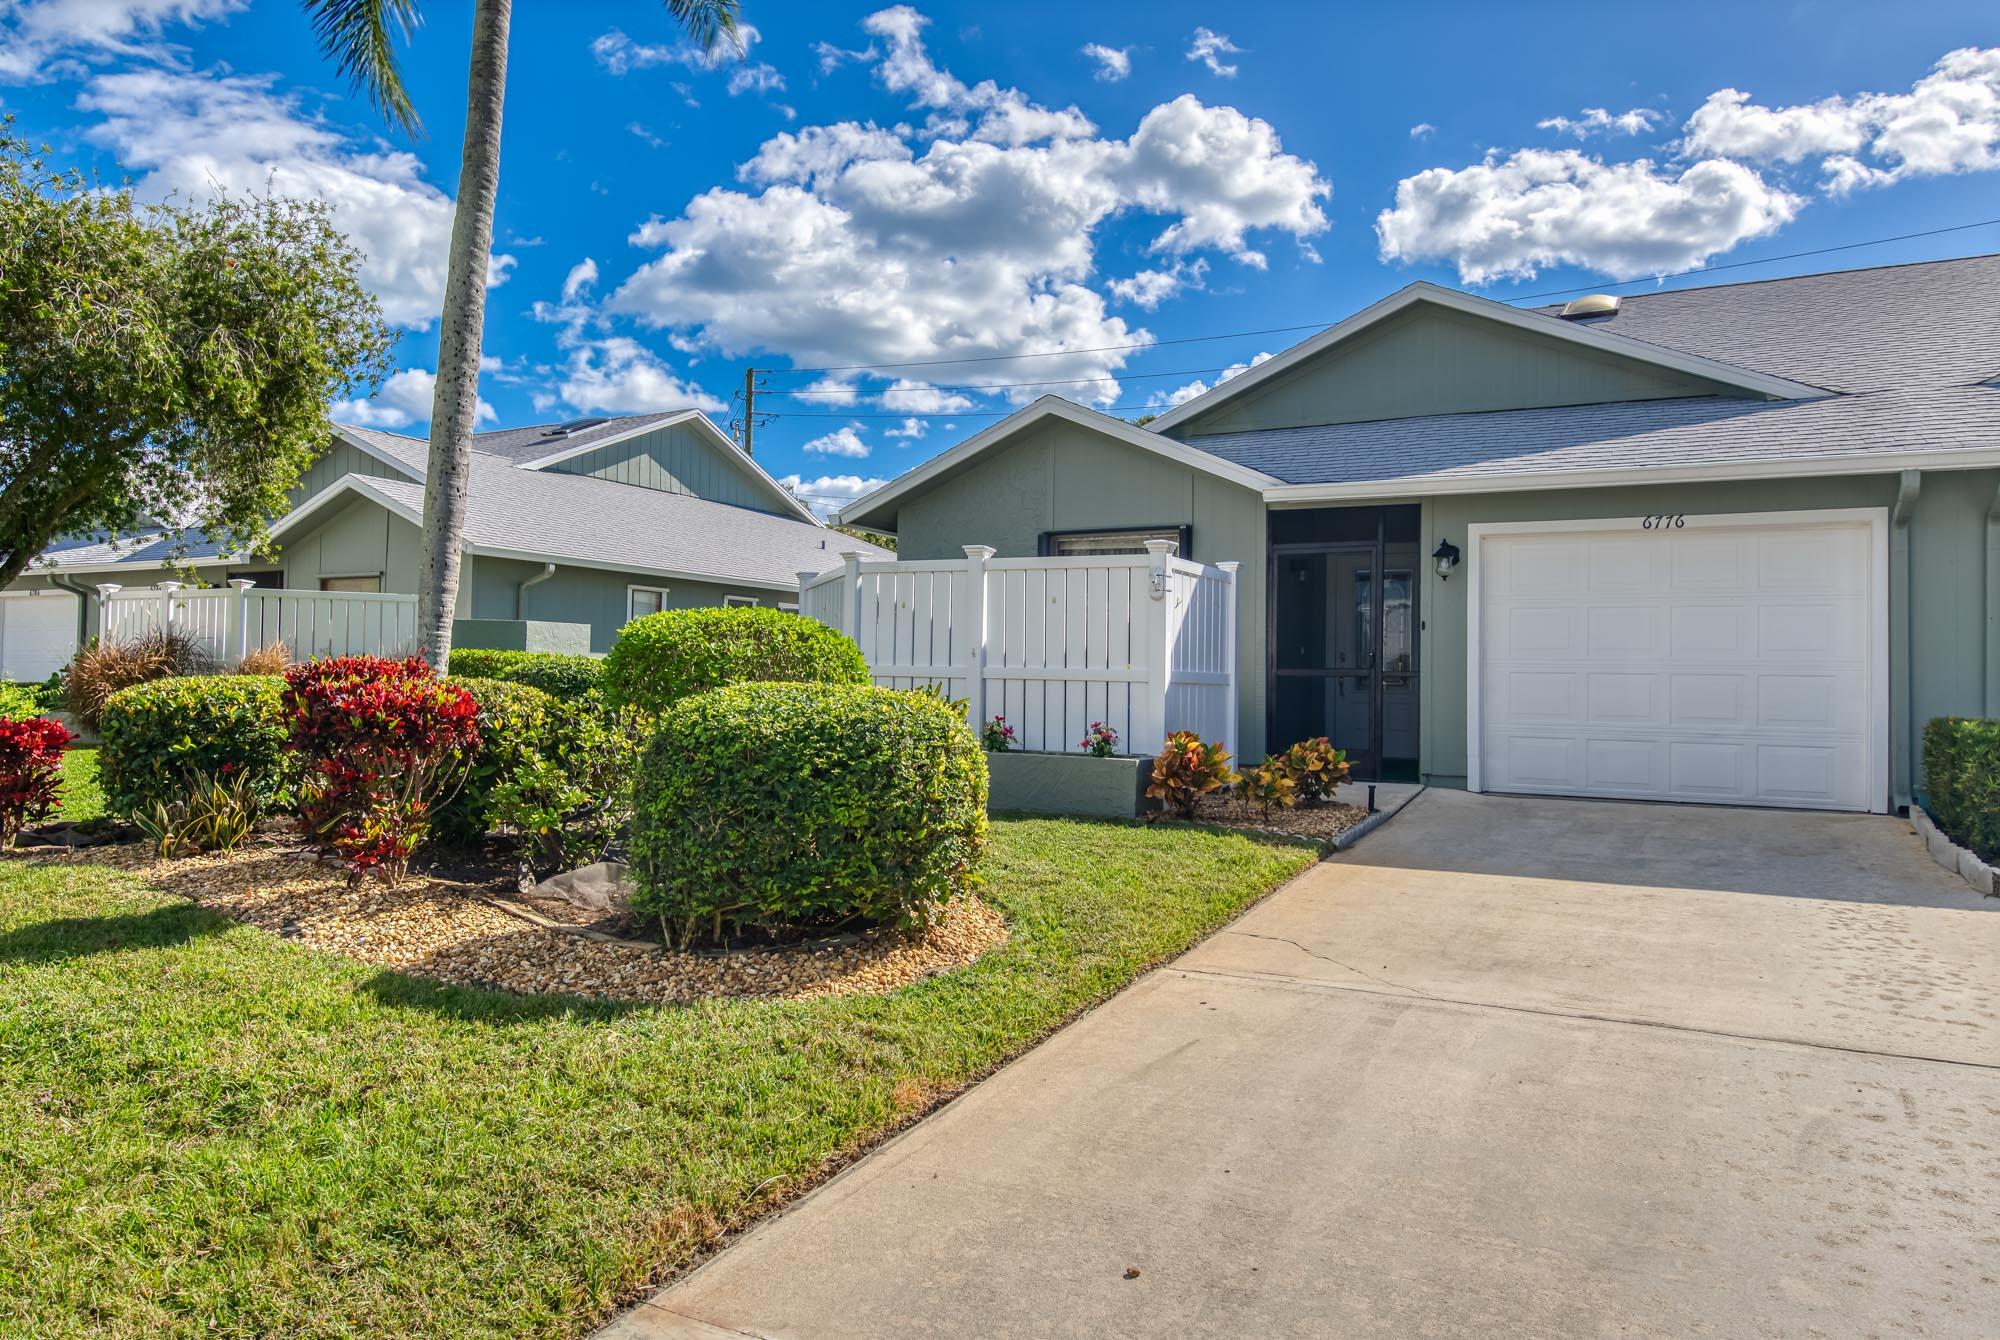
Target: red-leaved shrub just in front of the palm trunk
[(385, 745)]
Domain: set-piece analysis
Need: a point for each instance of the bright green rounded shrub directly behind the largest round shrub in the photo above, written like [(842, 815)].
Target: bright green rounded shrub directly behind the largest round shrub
[(663, 659)]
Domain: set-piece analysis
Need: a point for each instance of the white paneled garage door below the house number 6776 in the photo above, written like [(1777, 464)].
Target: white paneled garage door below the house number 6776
[(1717, 659)]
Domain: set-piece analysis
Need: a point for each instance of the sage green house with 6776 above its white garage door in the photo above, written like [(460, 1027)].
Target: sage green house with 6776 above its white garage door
[(1725, 545)]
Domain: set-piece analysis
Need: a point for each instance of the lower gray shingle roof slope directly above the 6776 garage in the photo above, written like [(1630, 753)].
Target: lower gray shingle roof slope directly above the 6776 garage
[(1619, 437)]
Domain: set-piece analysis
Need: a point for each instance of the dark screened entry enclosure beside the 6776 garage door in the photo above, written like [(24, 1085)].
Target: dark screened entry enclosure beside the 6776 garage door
[(1345, 635)]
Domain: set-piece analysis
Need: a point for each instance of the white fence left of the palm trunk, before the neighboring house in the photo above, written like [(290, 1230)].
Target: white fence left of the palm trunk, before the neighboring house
[(237, 619)]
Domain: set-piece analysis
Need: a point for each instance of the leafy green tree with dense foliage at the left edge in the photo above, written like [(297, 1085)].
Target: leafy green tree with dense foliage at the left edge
[(165, 365)]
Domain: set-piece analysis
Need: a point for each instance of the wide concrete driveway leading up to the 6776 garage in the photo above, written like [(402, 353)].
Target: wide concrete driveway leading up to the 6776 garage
[(1505, 1069)]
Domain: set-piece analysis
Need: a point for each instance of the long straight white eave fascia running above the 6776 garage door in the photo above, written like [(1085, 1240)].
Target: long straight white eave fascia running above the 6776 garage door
[(1613, 477)]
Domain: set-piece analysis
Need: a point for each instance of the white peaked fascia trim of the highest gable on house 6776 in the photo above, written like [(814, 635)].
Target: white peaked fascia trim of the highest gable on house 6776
[(1471, 305)]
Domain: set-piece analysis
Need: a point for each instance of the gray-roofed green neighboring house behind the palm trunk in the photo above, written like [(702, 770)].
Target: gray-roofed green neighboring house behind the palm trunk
[(575, 529)]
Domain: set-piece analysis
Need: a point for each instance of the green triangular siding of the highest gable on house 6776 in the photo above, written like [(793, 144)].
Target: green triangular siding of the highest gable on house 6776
[(1435, 361)]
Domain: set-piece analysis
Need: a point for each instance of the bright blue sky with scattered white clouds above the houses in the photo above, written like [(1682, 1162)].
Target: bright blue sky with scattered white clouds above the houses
[(909, 185)]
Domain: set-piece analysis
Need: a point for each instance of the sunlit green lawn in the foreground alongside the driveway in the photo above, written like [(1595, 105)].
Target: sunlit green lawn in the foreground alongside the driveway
[(213, 1131)]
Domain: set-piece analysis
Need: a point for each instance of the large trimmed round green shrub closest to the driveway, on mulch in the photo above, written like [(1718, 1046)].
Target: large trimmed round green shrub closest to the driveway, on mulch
[(769, 807)]
